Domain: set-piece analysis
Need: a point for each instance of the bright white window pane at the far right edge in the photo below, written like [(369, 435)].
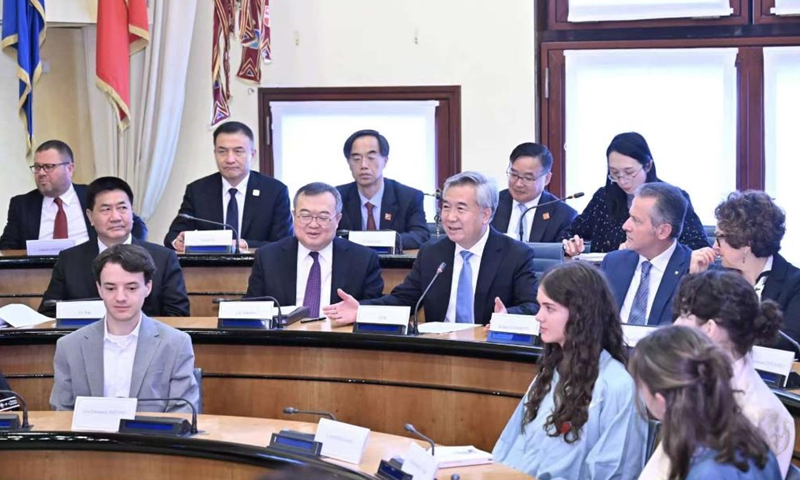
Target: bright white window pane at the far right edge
[(781, 104)]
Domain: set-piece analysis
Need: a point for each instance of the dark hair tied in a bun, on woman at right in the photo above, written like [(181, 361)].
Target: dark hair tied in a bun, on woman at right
[(726, 297)]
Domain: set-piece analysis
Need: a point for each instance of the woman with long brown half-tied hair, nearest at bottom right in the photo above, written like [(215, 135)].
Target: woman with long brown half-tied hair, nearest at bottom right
[(685, 381)]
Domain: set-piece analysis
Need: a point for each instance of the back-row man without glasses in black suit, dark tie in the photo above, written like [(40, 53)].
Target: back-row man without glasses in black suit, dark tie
[(257, 206)]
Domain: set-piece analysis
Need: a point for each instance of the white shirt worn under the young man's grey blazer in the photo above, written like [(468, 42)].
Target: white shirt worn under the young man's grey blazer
[(119, 352)]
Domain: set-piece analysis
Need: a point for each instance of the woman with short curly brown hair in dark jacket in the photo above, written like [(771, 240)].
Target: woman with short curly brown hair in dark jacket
[(750, 227)]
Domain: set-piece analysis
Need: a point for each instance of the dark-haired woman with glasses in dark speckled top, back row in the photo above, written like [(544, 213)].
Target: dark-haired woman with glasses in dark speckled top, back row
[(630, 164)]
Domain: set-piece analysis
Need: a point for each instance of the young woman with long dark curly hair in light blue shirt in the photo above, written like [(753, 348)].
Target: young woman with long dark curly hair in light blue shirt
[(579, 419)]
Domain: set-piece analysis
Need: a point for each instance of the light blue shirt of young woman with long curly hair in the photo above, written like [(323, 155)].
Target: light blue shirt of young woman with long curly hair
[(612, 442)]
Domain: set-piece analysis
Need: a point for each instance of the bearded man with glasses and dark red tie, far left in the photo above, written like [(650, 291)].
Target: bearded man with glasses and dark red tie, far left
[(55, 209)]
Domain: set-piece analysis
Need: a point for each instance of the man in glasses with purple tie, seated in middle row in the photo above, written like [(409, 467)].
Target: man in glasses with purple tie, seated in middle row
[(310, 267)]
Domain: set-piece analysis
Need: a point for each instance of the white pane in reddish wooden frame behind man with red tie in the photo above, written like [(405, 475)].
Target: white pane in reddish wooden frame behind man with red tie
[(308, 139)]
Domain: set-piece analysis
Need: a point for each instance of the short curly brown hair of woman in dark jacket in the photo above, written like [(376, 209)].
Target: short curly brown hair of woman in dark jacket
[(752, 218)]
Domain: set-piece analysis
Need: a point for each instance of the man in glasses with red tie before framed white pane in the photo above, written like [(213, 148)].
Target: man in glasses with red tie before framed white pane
[(373, 202)]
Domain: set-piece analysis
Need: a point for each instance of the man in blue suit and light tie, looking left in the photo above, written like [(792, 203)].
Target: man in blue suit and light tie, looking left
[(644, 277)]
